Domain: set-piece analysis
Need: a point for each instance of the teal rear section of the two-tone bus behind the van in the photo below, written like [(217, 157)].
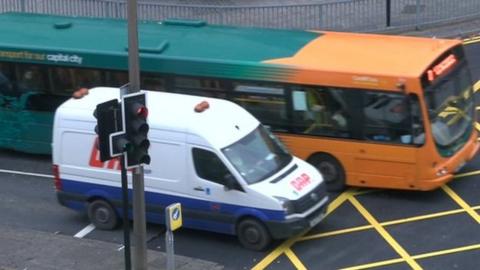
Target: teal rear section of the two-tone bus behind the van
[(45, 58)]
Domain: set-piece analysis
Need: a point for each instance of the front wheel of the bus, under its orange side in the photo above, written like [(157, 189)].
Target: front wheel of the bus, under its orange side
[(331, 170)]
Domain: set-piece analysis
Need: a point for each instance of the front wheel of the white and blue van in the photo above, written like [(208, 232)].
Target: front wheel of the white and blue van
[(253, 235)]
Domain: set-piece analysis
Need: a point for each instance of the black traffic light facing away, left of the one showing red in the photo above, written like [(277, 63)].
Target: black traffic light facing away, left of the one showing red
[(109, 120)]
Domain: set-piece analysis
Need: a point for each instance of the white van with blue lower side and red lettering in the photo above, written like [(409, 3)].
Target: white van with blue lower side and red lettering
[(229, 173)]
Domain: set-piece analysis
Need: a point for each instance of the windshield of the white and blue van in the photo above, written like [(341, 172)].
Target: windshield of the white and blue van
[(258, 155)]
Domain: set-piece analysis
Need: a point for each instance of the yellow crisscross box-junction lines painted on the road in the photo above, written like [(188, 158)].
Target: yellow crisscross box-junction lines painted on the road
[(349, 195)]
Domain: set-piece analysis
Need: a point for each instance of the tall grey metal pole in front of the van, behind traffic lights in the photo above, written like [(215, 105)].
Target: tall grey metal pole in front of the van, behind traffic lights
[(139, 220)]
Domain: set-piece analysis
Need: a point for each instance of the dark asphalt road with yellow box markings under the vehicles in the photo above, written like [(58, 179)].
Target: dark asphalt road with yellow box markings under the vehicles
[(365, 228)]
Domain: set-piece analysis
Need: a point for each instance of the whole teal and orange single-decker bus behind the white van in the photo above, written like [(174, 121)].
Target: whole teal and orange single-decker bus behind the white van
[(367, 110)]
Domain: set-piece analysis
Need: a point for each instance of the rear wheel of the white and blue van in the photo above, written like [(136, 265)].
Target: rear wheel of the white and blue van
[(102, 215)]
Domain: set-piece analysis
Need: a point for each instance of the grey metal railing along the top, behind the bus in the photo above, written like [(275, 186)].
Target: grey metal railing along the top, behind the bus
[(340, 15)]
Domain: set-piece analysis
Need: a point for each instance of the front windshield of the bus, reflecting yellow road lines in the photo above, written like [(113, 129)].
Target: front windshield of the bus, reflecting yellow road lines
[(451, 109)]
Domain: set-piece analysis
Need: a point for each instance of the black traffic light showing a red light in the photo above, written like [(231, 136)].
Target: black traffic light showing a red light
[(136, 129)]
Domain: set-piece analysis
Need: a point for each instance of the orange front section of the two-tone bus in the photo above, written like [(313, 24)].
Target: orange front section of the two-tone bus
[(388, 111)]
